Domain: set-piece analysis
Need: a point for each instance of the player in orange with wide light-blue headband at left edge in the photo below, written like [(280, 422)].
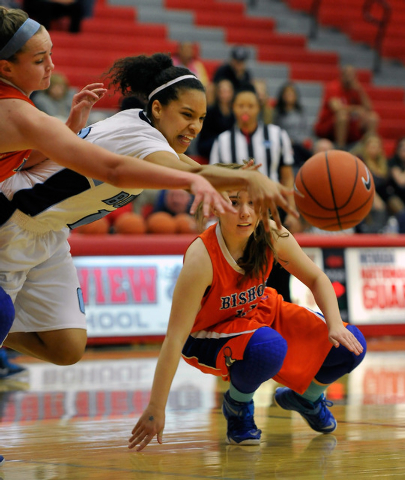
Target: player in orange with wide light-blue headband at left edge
[(29, 135)]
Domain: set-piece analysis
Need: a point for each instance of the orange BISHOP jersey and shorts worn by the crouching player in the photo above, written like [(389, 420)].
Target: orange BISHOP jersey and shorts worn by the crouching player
[(229, 316)]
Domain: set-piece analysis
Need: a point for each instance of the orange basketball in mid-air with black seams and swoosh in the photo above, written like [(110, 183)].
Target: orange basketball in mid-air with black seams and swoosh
[(334, 190)]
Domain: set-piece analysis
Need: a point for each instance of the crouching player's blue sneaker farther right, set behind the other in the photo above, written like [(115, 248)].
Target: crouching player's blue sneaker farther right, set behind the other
[(316, 413)]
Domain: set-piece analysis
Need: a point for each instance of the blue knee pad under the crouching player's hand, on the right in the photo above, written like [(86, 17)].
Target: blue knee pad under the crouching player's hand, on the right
[(341, 361)]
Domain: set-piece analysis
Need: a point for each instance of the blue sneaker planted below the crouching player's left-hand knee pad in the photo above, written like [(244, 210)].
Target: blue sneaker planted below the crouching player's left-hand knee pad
[(242, 429)]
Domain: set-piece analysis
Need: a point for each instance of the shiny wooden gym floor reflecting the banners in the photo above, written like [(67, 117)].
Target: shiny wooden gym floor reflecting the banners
[(72, 423)]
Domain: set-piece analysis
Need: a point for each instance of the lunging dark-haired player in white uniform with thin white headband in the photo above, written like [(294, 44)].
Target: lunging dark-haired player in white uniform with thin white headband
[(160, 135)]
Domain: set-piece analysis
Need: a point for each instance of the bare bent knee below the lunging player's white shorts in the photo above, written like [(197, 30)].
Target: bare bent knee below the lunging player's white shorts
[(61, 347)]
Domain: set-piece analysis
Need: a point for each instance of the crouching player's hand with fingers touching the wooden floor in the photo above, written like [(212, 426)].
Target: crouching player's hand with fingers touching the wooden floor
[(150, 424)]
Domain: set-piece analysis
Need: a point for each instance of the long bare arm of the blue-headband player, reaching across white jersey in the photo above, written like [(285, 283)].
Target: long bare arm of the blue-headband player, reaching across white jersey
[(25, 127)]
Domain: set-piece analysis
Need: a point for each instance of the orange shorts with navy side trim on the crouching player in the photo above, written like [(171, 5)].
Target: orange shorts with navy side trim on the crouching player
[(213, 351)]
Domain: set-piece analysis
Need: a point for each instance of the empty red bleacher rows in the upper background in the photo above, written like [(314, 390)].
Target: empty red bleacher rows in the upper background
[(114, 32)]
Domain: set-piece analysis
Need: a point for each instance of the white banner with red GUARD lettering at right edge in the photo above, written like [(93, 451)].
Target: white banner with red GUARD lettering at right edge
[(376, 285)]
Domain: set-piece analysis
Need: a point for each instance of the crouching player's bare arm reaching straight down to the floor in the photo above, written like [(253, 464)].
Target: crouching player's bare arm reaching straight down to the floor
[(193, 280)]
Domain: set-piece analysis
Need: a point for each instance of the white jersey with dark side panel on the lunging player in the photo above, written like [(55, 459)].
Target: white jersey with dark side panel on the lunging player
[(50, 197)]
